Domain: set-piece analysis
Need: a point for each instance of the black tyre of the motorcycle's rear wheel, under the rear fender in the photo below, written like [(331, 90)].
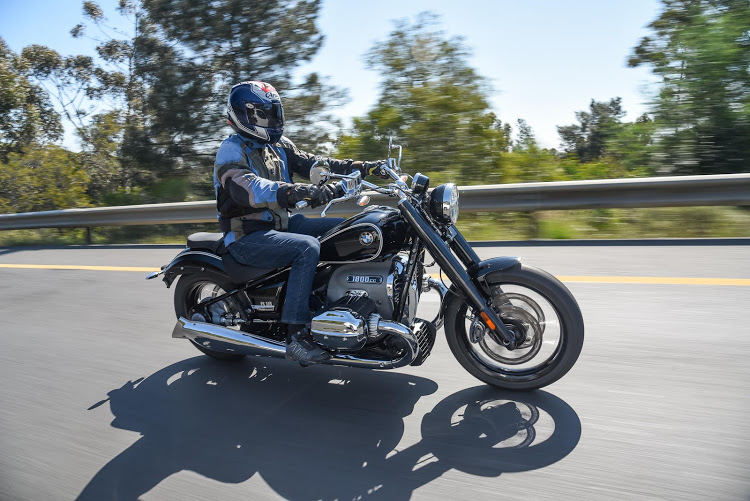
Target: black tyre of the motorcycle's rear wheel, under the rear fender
[(187, 294)]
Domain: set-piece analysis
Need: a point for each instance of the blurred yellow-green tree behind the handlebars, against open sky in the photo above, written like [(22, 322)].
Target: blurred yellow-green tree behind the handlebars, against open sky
[(434, 104)]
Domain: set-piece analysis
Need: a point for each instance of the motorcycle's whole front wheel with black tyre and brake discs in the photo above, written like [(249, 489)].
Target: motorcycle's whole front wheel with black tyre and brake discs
[(533, 304)]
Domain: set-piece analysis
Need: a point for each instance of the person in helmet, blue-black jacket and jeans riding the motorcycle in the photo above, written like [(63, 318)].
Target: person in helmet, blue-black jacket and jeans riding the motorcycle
[(253, 177)]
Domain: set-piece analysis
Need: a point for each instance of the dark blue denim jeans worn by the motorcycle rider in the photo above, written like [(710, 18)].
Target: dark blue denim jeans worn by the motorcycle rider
[(297, 247)]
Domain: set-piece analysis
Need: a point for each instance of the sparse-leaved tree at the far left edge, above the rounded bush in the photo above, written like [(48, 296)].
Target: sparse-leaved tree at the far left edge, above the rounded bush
[(26, 115)]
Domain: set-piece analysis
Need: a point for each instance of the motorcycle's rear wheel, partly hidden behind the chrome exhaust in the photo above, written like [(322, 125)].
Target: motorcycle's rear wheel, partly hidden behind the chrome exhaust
[(192, 290)]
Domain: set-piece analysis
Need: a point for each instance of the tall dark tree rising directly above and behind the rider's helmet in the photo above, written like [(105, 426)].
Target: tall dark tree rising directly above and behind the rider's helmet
[(236, 40)]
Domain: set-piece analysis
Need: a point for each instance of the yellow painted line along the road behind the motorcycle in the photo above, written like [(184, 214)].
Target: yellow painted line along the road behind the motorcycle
[(742, 282)]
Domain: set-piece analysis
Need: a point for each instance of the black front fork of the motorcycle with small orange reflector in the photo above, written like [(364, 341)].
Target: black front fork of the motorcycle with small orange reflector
[(458, 274)]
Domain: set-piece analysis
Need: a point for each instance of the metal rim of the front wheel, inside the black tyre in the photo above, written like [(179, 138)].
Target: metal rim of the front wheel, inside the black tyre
[(522, 309)]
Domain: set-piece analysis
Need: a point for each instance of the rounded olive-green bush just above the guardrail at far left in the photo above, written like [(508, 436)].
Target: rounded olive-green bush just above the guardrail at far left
[(43, 178)]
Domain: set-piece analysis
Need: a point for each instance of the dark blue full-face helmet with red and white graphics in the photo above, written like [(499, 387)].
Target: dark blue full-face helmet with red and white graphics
[(254, 111)]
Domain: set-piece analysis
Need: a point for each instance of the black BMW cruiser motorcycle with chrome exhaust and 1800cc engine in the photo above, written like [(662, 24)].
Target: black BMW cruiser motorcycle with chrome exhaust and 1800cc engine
[(508, 324)]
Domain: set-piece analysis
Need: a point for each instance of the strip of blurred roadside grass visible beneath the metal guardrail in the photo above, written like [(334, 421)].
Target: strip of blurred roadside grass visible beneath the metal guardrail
[(671, 222)]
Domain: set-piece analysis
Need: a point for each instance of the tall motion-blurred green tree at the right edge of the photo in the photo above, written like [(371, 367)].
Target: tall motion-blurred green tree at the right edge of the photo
[(701, 51)]
